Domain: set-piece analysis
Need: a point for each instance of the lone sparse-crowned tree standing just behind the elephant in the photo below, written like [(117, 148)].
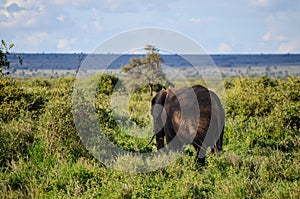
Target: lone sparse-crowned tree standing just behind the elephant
[(146, 69)]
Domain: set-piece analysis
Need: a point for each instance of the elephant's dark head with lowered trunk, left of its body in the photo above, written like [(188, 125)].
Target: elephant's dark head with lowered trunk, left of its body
[(159, 118)]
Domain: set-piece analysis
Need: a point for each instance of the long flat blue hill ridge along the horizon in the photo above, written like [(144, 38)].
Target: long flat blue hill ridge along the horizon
[(114, 61)]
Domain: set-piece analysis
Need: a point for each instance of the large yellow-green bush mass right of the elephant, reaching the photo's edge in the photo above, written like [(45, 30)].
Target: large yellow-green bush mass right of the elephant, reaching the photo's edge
[(264, 113)]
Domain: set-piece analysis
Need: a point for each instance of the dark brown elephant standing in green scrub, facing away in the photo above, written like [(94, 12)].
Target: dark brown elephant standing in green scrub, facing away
[(190, 115)]
